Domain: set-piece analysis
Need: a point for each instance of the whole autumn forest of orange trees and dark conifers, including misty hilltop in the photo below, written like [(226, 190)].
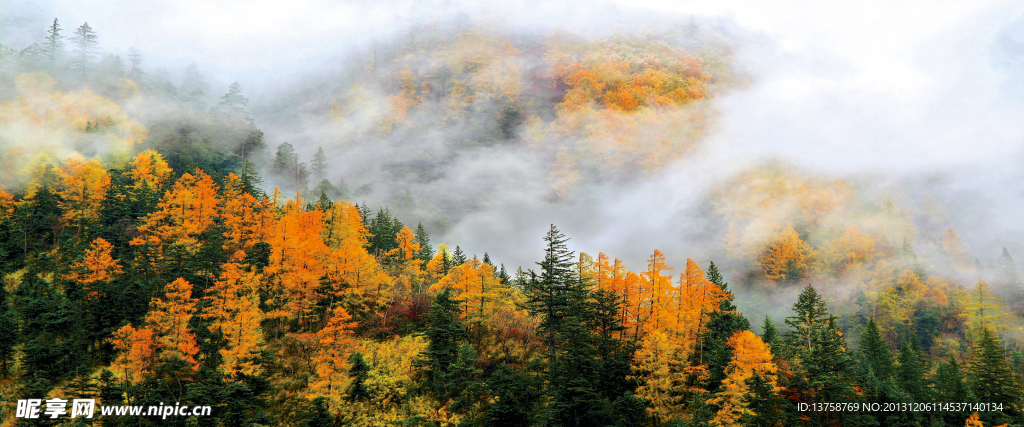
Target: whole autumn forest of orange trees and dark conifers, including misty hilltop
[(156, 248)]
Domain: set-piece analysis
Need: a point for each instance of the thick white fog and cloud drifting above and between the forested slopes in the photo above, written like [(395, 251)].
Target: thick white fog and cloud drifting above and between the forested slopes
[(914, 98)]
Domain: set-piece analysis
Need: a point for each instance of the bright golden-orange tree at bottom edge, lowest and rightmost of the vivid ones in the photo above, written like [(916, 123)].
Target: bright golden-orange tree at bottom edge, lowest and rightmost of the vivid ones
[(751, 357)]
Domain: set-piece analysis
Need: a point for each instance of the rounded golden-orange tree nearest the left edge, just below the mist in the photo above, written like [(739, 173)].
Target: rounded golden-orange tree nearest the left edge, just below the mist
[(82, 186)]
